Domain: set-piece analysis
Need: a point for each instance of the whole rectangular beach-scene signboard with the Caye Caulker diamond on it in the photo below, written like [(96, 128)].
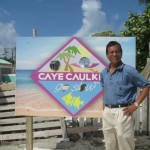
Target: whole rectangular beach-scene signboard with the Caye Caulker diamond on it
[(60, 76)]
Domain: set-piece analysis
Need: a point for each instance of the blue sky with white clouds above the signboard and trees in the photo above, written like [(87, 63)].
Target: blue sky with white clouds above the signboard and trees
[(62, 17)]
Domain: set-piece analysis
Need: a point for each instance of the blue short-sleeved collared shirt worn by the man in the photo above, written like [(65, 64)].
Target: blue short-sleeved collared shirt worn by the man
[(120, 87)]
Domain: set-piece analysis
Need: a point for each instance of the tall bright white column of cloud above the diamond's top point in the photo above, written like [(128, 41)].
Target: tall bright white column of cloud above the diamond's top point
[(94, 19)]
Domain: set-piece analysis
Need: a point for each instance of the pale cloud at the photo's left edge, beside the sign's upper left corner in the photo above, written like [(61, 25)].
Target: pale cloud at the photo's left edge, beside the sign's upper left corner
[(7, 35)]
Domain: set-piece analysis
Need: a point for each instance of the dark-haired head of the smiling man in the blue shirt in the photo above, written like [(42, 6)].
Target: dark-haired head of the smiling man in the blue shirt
[(114, 52)]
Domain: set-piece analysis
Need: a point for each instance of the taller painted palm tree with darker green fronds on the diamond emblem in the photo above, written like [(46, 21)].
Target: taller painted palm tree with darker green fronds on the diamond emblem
[(70, 50)]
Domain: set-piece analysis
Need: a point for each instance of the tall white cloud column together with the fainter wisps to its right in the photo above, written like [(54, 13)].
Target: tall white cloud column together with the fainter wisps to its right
[(95, 19)]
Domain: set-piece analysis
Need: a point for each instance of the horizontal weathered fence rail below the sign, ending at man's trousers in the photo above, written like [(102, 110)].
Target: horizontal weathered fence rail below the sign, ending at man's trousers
[(83, 129)]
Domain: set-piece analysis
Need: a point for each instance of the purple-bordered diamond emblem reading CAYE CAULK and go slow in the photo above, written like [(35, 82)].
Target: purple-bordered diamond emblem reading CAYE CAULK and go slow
[(71, 76)]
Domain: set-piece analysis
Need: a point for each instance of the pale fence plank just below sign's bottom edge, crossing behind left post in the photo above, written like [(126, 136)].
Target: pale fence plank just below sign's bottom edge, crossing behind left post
[(23, 120)]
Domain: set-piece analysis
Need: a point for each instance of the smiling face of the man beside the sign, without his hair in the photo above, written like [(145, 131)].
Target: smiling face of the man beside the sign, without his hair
[(114, 54)]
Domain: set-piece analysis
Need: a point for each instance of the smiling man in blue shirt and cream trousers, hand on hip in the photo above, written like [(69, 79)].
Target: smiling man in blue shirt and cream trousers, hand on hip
[(120, 82)]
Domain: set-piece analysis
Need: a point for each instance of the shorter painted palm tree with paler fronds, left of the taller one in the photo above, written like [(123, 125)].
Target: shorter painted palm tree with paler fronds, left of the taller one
[(65, 56)]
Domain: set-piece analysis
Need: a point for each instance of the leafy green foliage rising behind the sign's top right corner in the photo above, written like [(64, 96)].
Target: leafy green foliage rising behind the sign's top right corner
[(139, 27)]
